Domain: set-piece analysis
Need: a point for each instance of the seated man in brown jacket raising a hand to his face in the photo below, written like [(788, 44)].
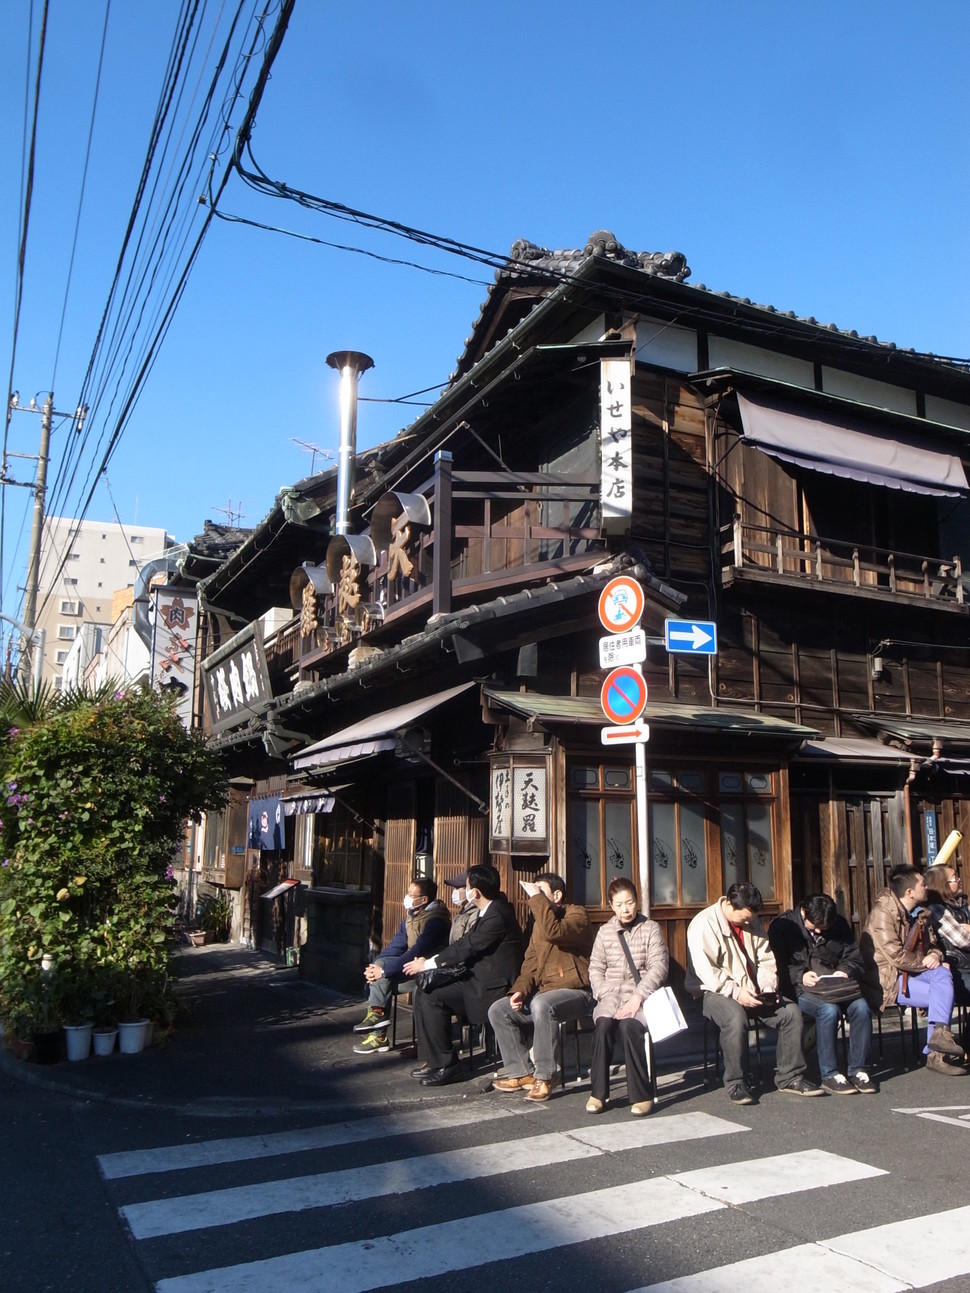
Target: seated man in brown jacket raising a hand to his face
[(553, 986)]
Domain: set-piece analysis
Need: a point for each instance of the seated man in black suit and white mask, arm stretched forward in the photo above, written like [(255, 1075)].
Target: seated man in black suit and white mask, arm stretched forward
[(492, 954)]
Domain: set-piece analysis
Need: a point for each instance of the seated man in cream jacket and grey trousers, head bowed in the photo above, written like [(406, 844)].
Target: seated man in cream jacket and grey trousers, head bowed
[(733, 969)]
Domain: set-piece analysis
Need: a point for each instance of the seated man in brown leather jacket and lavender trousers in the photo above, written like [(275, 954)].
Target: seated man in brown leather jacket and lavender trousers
[(905, 961)]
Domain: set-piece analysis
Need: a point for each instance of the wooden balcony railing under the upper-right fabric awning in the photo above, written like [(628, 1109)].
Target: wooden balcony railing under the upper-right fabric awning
[(775, 554)]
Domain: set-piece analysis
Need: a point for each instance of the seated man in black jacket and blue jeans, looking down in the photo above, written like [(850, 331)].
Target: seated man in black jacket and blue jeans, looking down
[(814, 943)]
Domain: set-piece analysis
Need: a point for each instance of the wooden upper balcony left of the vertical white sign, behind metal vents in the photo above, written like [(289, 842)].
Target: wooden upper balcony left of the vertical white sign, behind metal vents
[(491, 532)]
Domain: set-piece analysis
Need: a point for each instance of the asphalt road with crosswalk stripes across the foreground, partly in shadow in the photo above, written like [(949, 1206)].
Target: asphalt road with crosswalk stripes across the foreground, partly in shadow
[(393, 1186)]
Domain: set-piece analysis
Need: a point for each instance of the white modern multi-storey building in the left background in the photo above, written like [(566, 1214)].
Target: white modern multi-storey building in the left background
[(82, 566)]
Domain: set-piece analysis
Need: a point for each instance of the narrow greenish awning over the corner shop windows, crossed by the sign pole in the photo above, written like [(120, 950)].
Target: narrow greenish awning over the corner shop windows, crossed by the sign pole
[(585, 711)]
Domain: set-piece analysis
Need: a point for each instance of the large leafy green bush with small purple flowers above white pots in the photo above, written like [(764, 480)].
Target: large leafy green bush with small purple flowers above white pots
[(95, 793)]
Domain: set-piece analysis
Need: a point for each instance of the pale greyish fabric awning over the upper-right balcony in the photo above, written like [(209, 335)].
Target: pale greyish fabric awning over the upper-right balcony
[(837, 447)]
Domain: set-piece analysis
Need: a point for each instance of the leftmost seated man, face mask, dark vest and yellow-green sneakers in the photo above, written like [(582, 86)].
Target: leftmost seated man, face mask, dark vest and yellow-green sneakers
[(422, 933)]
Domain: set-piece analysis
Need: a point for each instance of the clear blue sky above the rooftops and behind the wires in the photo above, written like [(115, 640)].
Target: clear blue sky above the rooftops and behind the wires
[(806, 156)]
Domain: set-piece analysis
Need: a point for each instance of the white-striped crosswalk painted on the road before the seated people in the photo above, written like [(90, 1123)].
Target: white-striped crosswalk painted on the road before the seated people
[(443, 1193)]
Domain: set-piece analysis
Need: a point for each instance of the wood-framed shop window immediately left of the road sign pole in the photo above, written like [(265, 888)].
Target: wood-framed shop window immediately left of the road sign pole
[(602, 832)]
